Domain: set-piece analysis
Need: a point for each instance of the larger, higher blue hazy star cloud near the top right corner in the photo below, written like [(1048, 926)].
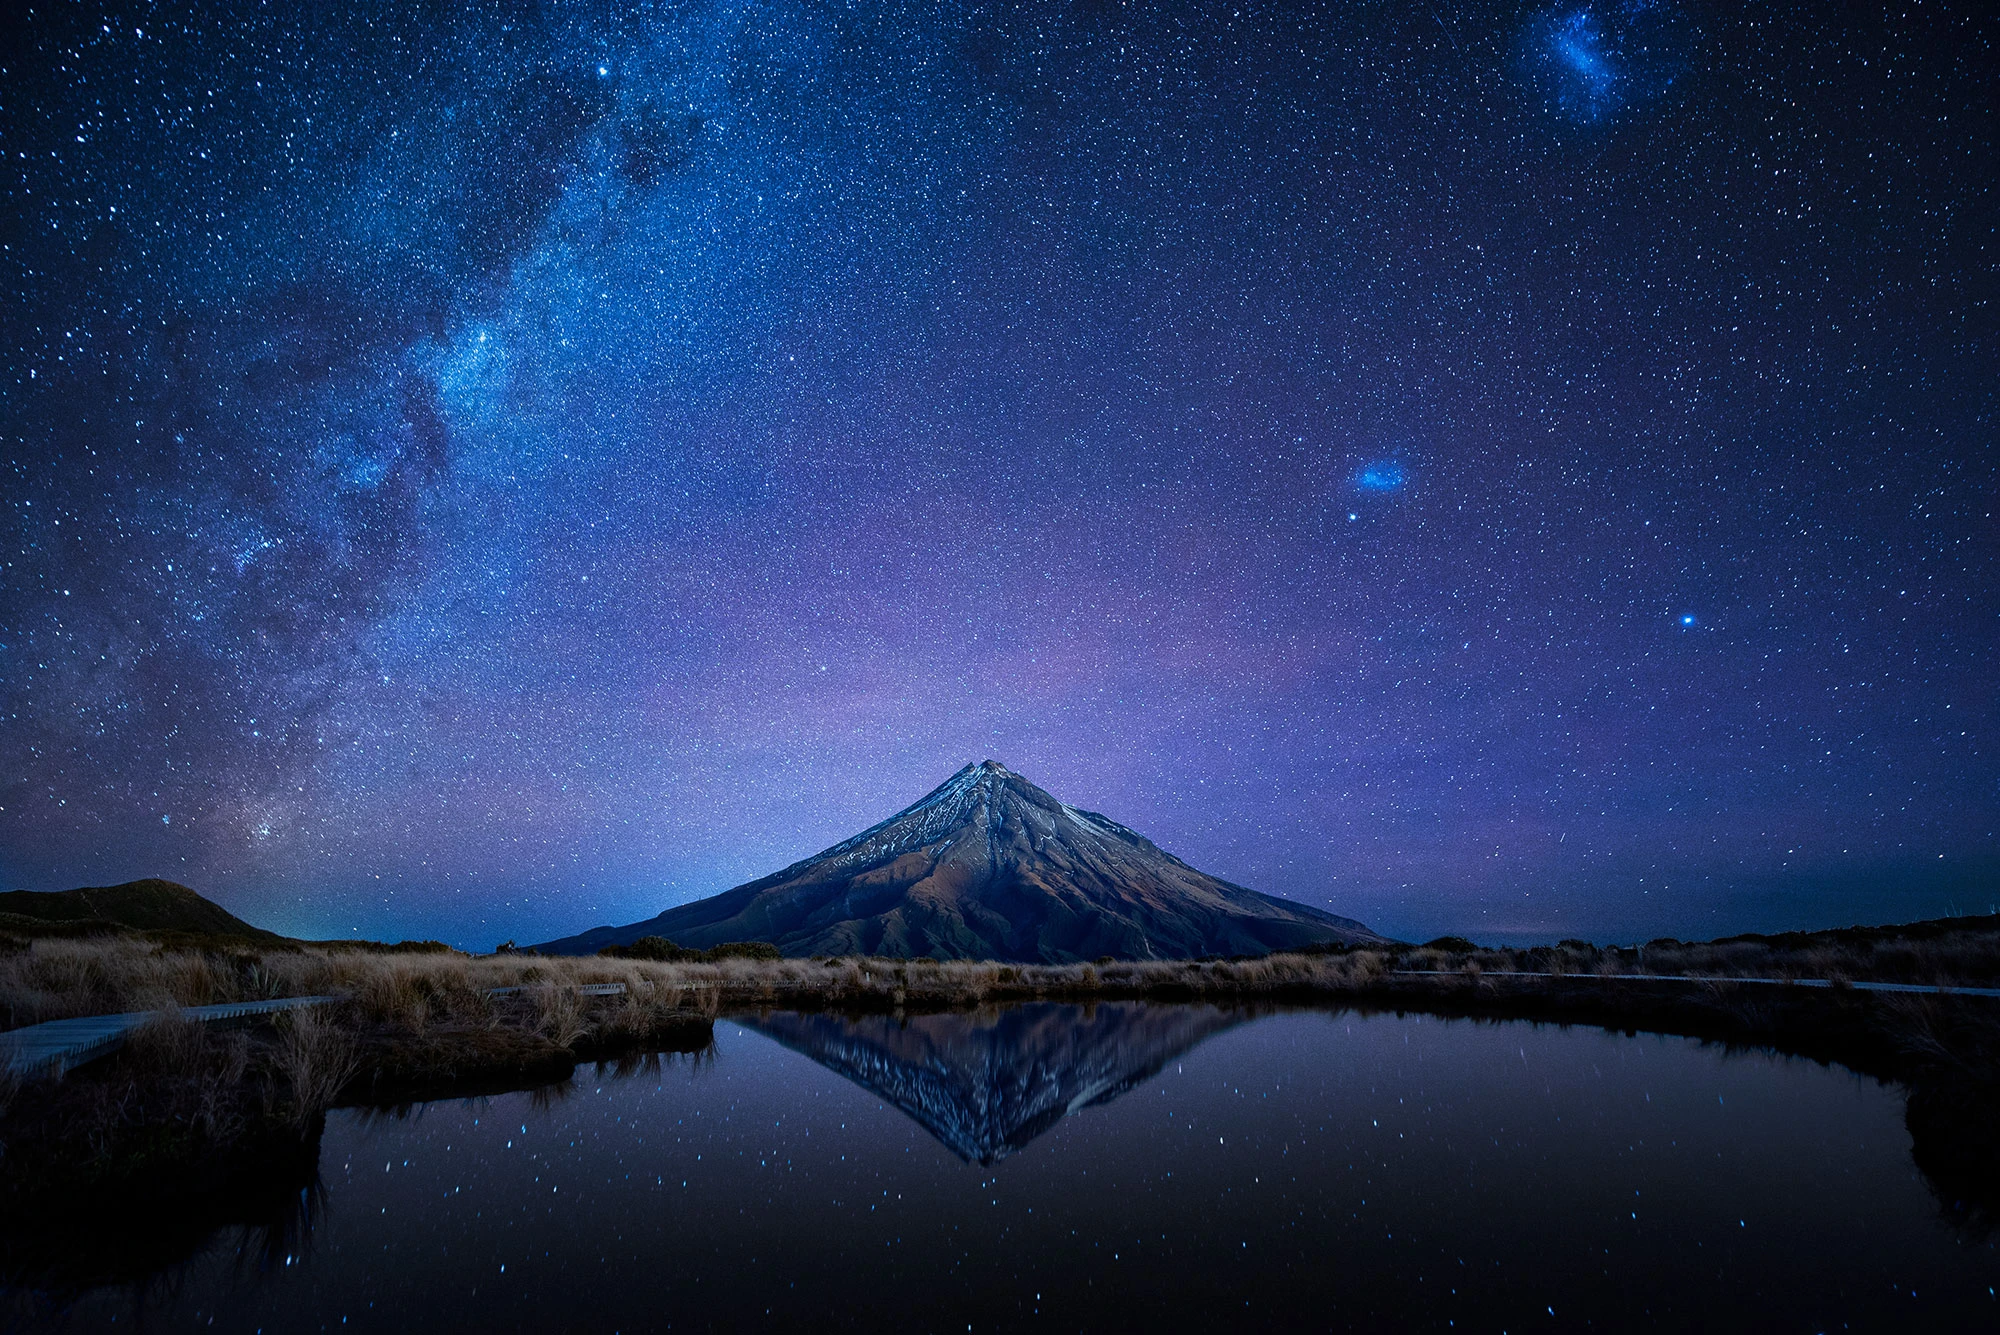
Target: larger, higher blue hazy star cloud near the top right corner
[(1591, 63)]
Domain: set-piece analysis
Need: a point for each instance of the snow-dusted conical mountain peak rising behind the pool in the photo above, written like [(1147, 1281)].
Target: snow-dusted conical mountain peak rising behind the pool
[(989, 866)]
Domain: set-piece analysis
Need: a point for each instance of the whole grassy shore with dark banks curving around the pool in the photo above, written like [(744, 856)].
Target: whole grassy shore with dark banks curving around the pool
[(191, 1112)]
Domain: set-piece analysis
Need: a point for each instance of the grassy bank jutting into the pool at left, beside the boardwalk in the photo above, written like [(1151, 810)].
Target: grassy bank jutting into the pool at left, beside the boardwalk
[(193, 1114)]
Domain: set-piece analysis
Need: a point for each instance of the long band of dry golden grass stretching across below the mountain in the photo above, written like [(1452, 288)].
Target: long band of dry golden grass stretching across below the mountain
[(415, 994)]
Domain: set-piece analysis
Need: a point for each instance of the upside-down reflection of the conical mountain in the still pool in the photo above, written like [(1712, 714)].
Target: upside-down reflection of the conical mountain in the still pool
[(991, 1082)]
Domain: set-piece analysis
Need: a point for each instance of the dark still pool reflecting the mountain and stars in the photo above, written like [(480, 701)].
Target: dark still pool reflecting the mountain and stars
[(1121, 1168)]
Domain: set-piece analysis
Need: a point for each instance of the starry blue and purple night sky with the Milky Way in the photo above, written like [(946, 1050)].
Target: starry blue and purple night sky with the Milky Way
[(489, 471)]
